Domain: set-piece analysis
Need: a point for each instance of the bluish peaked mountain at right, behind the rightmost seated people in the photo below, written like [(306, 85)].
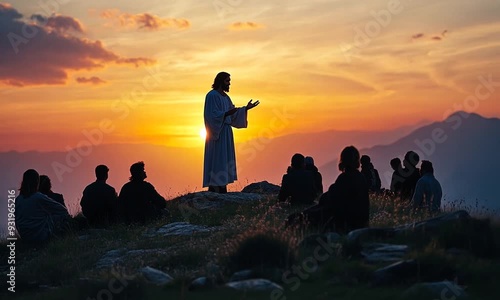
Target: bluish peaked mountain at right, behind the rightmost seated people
[(463, 149)]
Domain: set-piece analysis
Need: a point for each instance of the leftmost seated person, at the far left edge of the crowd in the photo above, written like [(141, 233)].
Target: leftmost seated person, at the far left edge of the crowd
[(38, 217)]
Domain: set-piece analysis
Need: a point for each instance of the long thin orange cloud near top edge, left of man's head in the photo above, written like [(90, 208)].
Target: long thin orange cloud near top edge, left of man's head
[(143, 21)]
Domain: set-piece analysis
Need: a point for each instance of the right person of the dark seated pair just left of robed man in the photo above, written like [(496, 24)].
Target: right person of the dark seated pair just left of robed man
[(139, 199)]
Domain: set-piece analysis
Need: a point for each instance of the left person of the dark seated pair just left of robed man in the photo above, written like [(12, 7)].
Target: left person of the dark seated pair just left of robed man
[(99, 201)]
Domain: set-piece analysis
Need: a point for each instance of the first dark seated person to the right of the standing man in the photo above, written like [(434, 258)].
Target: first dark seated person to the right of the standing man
[(297, 186)]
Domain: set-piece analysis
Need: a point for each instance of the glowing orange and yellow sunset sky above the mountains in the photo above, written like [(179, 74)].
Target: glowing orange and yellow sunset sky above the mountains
[(138, 71)]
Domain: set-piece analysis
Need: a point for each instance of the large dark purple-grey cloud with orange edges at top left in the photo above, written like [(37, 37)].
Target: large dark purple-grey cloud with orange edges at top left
[(32, 54)]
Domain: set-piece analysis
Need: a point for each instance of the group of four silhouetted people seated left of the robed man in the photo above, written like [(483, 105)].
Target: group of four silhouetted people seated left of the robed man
[(41, 214)]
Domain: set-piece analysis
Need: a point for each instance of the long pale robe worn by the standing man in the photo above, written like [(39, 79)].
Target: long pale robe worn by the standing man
[(219, 167)]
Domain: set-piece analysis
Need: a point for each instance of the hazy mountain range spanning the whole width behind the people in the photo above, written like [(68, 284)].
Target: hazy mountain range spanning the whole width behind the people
[(463, 149)]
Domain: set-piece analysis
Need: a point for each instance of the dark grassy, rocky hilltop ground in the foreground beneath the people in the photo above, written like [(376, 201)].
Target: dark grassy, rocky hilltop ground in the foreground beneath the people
[(246, 232)]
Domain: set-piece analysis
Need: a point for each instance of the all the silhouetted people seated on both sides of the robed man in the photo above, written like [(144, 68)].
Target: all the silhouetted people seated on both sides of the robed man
[(41, 214)]
